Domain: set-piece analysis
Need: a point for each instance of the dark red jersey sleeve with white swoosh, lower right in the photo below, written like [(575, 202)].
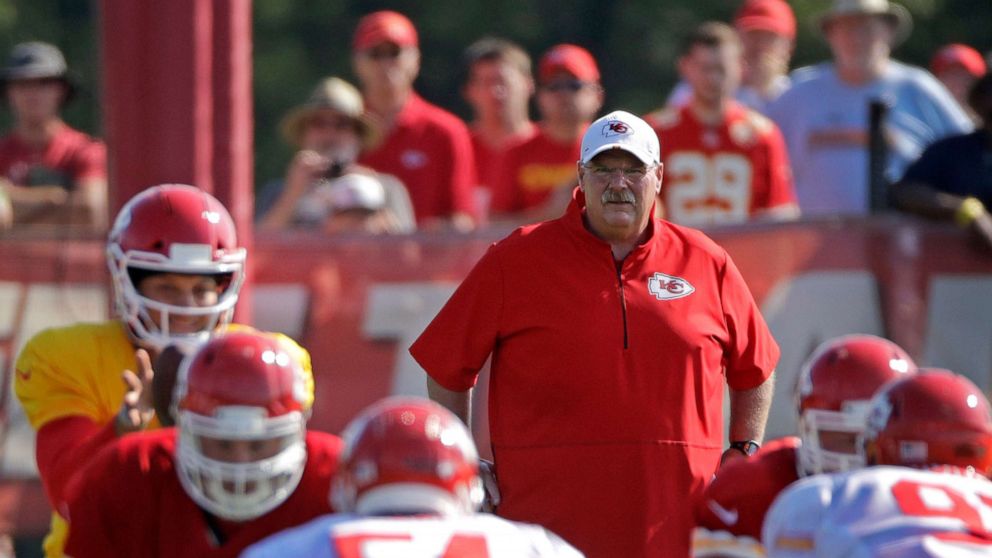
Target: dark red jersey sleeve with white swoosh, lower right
[(740, 495)]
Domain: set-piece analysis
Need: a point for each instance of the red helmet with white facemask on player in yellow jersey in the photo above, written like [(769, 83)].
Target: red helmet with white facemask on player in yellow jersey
[(173, 228)]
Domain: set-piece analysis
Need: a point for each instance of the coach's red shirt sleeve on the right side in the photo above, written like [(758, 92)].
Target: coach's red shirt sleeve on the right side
[(753, 353)]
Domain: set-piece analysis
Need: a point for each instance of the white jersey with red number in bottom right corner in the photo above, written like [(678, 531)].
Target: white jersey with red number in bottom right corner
[(883, 512)]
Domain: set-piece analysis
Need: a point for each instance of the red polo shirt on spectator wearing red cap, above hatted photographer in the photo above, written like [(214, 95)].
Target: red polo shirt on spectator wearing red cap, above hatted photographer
[(430, 151)]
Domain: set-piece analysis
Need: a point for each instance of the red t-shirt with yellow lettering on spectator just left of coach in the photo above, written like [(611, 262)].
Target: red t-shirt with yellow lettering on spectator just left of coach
[(532, 171)]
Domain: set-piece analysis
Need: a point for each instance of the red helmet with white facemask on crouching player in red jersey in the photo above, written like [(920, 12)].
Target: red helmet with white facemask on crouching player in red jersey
[(246, 393)]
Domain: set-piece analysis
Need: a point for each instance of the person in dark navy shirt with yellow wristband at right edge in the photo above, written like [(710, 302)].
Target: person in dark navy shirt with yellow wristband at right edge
[(952, 180)]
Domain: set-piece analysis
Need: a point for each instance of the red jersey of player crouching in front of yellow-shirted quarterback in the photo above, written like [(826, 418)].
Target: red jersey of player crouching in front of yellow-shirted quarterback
[(131, 503)]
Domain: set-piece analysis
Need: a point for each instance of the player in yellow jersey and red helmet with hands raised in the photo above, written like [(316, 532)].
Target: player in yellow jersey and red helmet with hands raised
[(176, 269)]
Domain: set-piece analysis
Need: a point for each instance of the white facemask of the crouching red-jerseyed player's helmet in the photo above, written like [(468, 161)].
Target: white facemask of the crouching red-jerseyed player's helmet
[(247, 488)]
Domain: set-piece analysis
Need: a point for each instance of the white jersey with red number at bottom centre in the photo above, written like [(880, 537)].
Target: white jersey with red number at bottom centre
[(469, 536)]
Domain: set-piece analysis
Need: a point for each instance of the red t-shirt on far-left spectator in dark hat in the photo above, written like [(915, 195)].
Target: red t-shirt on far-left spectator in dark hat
[(70, 157)]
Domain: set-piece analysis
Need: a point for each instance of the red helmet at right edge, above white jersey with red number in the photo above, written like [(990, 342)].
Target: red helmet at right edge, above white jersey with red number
[(935, 417)]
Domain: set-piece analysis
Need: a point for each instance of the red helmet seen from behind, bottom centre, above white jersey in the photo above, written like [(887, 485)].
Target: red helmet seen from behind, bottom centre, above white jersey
[(406, 454)]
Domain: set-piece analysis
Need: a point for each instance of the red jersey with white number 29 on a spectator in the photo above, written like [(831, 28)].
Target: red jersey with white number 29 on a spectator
[(725, 174)]
